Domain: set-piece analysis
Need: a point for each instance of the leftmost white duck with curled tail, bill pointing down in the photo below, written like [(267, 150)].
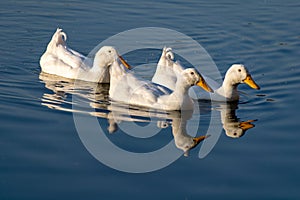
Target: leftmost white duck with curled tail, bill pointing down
[(60, 60)]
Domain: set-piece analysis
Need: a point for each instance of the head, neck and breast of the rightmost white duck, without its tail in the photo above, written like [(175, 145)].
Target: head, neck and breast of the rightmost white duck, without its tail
[(235, 75)]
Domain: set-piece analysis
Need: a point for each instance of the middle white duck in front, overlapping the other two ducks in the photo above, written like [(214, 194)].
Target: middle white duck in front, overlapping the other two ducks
[(126, 88)]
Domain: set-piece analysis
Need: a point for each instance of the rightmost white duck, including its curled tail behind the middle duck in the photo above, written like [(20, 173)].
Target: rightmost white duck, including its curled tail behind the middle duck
[(167, 70)]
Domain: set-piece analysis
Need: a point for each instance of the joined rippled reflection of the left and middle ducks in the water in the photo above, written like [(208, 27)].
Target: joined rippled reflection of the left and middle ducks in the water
[(115, 113)]
